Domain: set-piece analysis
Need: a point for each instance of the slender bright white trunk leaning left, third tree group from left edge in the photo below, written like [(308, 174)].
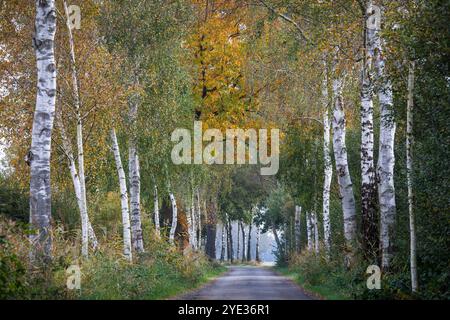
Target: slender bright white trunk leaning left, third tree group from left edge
[(123, 198)]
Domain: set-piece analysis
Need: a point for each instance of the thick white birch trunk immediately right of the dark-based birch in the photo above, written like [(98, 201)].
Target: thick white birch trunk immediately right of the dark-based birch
[(386, 158)]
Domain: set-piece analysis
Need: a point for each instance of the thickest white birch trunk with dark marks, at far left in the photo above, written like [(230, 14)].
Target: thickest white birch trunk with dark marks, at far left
[(39, 155)]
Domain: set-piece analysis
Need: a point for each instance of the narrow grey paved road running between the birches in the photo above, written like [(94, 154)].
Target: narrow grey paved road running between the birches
[(248, 283)]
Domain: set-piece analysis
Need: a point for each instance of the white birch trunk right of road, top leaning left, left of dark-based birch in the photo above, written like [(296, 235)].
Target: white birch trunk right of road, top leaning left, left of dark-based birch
[(343, 173)]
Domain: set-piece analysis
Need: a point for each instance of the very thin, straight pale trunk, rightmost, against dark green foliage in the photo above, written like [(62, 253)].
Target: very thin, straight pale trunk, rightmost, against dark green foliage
[(409, 172)]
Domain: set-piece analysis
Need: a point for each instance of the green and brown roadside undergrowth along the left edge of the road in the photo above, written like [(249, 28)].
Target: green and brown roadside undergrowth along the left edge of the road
[(159, 273)]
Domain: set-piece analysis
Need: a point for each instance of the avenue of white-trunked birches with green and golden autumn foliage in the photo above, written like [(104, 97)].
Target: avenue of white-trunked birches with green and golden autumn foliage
[(358, 88)]
